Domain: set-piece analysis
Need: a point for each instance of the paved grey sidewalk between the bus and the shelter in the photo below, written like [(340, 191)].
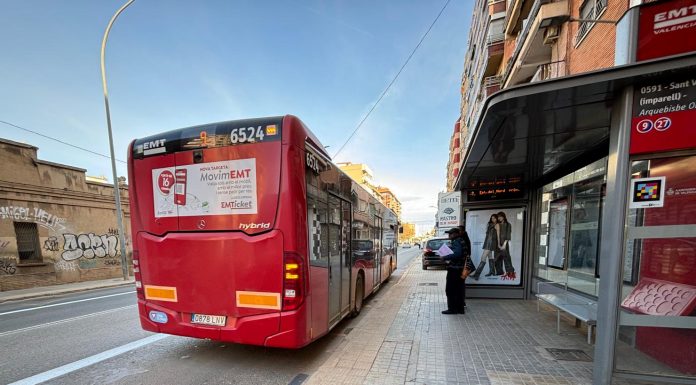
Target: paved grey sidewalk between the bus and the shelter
[(404, 339)]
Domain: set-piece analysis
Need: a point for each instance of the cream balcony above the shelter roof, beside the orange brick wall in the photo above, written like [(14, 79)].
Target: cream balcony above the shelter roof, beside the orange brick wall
[(534, 42)]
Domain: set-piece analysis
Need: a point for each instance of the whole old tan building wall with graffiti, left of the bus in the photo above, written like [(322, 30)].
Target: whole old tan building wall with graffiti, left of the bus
[(75, 219)]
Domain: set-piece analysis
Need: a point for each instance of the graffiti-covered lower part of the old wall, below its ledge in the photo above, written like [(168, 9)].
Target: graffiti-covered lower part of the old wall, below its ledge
[(69, 247)]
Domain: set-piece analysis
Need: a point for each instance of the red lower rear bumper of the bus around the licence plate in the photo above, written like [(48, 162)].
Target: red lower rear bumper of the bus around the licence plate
[(282, 330)]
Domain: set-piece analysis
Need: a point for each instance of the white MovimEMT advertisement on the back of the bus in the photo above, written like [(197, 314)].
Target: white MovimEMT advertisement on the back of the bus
[(215, 188)]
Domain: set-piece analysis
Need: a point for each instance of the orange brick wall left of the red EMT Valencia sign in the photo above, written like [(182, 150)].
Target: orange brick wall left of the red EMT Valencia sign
[(596, 49)]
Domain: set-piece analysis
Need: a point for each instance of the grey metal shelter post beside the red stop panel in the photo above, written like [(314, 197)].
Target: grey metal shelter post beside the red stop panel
[(612, 236)]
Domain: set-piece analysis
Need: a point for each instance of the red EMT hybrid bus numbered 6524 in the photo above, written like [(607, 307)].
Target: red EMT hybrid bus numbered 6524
[(244, 231)]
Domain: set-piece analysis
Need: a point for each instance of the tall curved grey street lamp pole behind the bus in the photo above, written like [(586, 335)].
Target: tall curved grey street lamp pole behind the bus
[(117, 191)]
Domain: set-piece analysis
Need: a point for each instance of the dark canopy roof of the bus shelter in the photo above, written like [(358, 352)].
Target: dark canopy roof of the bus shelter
[(538, 130)]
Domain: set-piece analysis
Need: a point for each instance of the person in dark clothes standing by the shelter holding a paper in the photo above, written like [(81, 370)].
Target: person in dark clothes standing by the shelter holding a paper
[(454, 287)]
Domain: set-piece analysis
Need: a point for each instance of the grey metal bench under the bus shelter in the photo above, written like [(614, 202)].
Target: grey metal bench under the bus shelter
[(556, 295)]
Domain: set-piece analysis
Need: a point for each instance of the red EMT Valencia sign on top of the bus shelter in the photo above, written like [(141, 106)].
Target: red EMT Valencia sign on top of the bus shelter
[(666, 28)]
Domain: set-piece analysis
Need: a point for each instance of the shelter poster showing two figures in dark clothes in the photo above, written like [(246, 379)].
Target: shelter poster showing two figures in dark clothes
[(499, 266)]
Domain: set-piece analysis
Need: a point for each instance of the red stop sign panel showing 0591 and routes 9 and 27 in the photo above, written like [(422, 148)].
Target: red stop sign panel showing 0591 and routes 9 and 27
[(664, 114)]
